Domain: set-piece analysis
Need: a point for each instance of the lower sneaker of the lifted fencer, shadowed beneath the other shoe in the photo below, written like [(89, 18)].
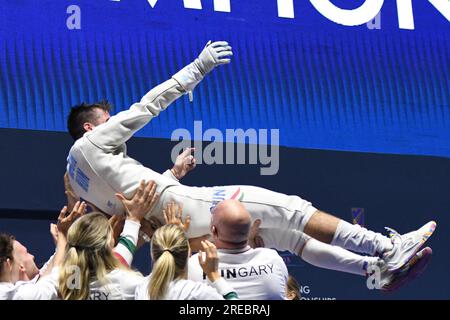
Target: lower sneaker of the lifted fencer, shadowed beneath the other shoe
[(415, 267)]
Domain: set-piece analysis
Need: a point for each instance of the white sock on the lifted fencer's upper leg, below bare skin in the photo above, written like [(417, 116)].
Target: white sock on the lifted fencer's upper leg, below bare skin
[(356, 238)]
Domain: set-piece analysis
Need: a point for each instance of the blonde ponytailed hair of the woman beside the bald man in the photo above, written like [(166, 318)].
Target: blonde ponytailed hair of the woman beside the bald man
[(170, 251)]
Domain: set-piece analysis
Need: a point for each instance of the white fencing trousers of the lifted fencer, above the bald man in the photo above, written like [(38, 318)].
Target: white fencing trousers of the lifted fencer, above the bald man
[(276, 210)]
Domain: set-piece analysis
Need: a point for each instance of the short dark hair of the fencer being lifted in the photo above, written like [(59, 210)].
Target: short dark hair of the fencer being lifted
[(82, 113)]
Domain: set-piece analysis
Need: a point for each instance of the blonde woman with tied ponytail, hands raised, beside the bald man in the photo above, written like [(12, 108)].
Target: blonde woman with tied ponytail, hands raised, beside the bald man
[(170, 252)]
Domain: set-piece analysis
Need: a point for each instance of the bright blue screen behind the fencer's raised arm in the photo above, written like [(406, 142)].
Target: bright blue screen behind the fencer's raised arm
[(324, 85)]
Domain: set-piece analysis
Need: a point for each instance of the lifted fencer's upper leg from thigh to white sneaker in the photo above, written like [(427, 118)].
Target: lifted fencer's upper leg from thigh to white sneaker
[(285, 212)]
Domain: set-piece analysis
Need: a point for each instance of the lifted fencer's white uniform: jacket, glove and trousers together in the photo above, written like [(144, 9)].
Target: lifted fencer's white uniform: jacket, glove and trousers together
[(99, 167)]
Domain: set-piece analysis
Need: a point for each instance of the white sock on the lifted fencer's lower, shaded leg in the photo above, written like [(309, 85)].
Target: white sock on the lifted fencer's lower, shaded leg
[(331, 257)]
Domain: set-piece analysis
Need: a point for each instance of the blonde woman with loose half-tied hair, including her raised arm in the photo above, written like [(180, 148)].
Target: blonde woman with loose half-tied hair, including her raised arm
[(93, 269)]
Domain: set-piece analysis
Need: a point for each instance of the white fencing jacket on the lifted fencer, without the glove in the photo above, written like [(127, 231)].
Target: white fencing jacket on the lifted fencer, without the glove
[(98, 164)]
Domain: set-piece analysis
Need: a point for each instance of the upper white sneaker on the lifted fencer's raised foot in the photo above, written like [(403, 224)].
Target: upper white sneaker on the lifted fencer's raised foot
[(406, 246)]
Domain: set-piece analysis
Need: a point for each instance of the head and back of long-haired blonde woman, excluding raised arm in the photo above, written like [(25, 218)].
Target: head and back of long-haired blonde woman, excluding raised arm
[(90, 269)]
